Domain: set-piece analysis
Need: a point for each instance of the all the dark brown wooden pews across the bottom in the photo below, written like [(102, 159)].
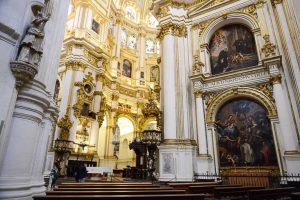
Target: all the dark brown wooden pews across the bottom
[(174, 191)]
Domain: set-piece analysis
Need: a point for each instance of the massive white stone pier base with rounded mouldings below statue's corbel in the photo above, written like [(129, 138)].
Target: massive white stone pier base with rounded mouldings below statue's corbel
[(28, 138)]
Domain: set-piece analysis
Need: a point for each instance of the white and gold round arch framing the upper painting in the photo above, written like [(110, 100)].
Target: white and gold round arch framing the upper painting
[(232, 18)]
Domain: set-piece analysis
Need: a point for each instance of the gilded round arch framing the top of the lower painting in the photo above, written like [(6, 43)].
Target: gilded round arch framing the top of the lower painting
[(234, 93)]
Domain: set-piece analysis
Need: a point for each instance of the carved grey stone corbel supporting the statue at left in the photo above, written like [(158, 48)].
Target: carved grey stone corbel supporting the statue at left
[(23, 72)]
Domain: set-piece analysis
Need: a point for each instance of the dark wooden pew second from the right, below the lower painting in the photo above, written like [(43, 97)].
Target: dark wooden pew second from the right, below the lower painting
[(233, 192)]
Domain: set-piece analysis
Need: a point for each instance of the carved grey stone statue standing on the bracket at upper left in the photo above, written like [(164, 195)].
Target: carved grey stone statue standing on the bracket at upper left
[(31, 46)]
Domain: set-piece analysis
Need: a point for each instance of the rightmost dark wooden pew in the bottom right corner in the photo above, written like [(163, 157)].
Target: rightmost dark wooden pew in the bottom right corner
[(276, 193)]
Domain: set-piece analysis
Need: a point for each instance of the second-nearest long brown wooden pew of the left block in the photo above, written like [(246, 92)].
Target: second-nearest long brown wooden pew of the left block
[(117, 192)]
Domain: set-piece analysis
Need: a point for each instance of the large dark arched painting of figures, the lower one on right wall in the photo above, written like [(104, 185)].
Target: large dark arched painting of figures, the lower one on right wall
[(245, 135)]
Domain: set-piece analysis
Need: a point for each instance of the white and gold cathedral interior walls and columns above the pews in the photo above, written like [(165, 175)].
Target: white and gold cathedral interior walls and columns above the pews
[(174, 90)]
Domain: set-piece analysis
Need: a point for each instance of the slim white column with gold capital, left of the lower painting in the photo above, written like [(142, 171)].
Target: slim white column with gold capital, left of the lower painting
[(201, 127)]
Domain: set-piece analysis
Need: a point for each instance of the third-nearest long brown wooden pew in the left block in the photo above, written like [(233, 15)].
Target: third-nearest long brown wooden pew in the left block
[(112, 189)]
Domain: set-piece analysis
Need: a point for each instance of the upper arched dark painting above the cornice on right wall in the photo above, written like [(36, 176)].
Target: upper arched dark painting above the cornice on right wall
[(232, 47)]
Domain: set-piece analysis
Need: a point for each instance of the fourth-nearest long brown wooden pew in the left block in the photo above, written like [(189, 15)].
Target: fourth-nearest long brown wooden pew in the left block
[(104, 186)]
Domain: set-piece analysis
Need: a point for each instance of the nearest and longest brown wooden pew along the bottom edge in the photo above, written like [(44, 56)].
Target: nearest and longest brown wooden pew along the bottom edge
[(123, 197)]
